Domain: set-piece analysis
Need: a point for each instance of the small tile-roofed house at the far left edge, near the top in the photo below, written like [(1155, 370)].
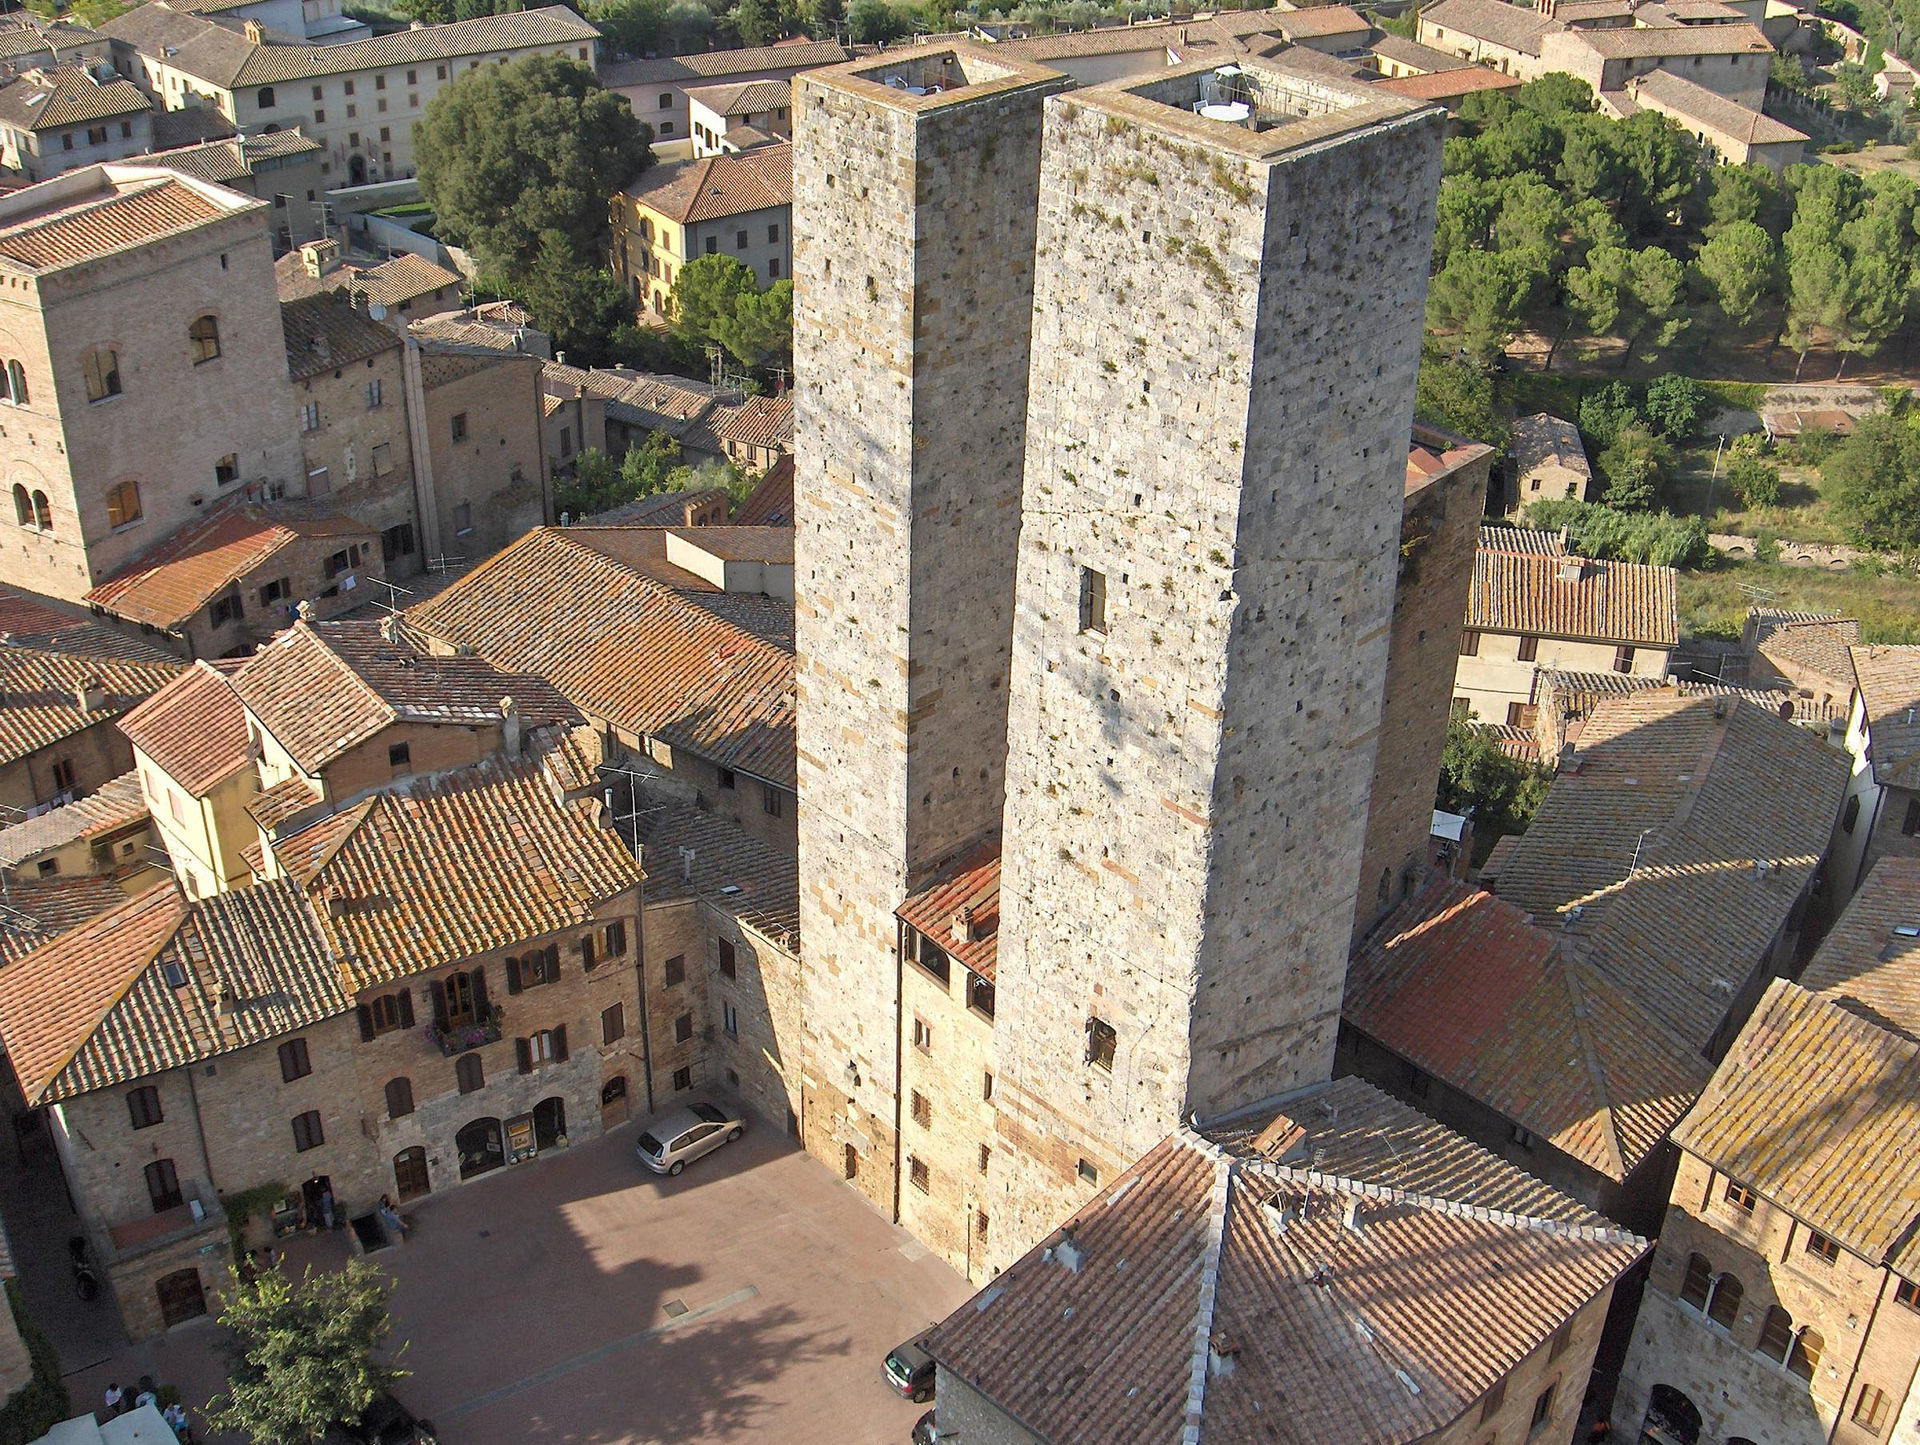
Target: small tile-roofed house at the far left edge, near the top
[(64, 116)]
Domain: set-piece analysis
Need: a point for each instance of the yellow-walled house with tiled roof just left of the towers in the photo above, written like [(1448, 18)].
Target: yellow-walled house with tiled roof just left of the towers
[(738, 204)]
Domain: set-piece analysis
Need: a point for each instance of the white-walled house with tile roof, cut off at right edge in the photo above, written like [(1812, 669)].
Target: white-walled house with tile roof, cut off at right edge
[(1883, 811)]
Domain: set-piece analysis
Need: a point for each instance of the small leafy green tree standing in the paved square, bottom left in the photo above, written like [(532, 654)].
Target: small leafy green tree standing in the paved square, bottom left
[(302, 1356)]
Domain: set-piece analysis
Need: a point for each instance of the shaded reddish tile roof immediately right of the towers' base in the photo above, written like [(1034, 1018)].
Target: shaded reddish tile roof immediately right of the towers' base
[(1470, 991)]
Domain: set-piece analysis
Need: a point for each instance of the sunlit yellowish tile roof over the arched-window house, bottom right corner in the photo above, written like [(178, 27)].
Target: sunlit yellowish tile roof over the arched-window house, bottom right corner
[(1817, 1108)]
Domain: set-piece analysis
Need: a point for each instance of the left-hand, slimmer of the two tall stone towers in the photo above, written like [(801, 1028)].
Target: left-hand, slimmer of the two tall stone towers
[(915, 201)]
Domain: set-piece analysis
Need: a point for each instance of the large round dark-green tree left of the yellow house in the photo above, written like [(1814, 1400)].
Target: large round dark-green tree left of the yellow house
[(512, 153)]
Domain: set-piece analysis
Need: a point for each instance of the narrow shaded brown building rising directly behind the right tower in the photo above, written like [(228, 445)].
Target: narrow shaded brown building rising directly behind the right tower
[(1439, 527)]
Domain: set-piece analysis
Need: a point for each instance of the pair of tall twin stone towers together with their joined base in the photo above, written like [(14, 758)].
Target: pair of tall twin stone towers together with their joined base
[(1103, 406)]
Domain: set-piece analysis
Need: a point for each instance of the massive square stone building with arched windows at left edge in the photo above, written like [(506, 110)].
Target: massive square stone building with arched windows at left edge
[(139, 308)]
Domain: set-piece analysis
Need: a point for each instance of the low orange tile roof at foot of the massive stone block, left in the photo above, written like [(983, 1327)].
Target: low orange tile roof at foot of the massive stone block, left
[(185, 573)]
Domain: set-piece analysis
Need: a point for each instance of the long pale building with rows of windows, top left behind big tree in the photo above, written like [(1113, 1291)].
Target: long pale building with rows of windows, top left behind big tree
[(360, 99)]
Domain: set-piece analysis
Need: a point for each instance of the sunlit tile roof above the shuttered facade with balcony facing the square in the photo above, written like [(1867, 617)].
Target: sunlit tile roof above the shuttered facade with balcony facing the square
[(444, 866)]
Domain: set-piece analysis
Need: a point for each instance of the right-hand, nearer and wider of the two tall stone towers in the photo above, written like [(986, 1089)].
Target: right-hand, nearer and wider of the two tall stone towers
[(1228, 323)]
